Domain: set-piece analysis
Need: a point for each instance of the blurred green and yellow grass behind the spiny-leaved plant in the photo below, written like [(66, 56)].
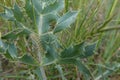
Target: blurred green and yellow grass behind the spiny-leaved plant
[(98, 20)]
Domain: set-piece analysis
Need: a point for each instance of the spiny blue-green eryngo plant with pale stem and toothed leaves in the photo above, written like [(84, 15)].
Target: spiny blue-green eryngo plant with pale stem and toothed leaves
[(47, 21)]
